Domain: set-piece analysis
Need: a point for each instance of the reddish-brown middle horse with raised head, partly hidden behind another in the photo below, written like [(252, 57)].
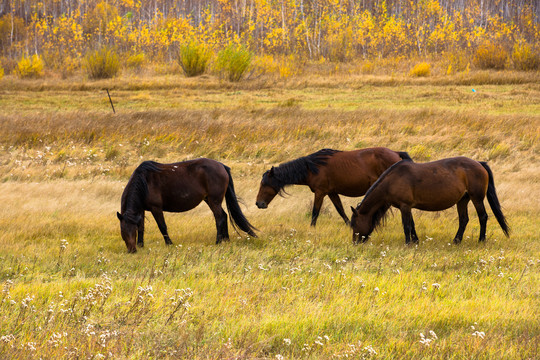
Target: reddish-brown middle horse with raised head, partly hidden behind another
[(329, 172)]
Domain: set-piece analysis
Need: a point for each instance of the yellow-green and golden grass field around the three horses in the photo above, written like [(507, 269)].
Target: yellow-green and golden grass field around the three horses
[(70, 290)]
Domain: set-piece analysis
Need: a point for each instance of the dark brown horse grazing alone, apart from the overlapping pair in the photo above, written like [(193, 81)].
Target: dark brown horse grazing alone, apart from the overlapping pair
[(178, 187)]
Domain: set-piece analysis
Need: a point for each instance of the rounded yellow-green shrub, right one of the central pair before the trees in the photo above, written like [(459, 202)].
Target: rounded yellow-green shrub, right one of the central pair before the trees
[(234, 61)]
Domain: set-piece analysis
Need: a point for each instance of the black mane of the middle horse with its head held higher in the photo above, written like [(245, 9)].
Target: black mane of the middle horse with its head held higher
[(296, 171)]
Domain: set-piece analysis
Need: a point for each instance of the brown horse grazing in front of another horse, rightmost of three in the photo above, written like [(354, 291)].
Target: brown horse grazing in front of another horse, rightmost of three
[(431, 186)]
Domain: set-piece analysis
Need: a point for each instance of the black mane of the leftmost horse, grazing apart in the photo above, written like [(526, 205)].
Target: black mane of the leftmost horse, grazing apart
[(137, 189)]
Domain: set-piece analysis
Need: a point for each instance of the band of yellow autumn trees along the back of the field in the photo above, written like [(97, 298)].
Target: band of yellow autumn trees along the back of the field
[(62, 31)]
